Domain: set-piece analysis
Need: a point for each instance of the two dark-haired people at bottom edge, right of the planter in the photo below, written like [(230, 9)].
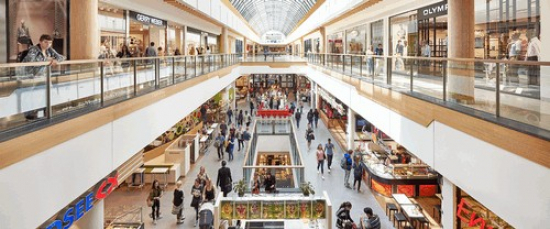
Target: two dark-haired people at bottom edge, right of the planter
[(345, 221)]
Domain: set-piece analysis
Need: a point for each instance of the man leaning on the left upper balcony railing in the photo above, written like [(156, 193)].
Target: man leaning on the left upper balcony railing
[(42, 52)]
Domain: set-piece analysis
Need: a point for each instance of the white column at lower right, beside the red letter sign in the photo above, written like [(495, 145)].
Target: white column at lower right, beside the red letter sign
[(448, 204)]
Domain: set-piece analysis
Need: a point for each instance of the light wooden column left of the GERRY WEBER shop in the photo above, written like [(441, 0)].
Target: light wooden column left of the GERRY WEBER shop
[(84, 29)]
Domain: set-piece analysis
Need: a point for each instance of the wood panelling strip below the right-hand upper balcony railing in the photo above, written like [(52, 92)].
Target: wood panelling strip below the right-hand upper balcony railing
[(424, 113)]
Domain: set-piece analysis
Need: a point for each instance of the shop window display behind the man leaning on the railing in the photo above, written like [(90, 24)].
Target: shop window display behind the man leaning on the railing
[(28, 20)]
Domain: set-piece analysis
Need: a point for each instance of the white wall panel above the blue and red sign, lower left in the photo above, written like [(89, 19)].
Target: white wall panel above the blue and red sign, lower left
[(35, 189)]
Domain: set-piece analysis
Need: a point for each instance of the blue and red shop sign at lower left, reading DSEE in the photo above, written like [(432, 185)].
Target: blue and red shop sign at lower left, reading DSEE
[(65, 218)]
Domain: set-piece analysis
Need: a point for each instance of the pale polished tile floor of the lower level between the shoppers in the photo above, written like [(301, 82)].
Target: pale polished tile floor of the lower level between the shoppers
[(333, 184)]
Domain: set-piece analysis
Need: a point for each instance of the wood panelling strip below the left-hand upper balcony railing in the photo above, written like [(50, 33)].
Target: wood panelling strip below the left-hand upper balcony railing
[(25, 146)]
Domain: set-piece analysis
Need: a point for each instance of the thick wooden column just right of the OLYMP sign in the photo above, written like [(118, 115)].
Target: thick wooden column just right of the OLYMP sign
[(460, 75)]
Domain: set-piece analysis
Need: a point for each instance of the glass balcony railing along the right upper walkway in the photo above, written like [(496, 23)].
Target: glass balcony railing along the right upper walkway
[(510, 93)]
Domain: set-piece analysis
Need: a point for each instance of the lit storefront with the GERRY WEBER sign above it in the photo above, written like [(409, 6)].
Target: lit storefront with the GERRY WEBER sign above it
[(145, 29)]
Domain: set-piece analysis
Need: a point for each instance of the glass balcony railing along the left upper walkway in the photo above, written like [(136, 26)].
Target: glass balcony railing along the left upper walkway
[(34, 95)]
